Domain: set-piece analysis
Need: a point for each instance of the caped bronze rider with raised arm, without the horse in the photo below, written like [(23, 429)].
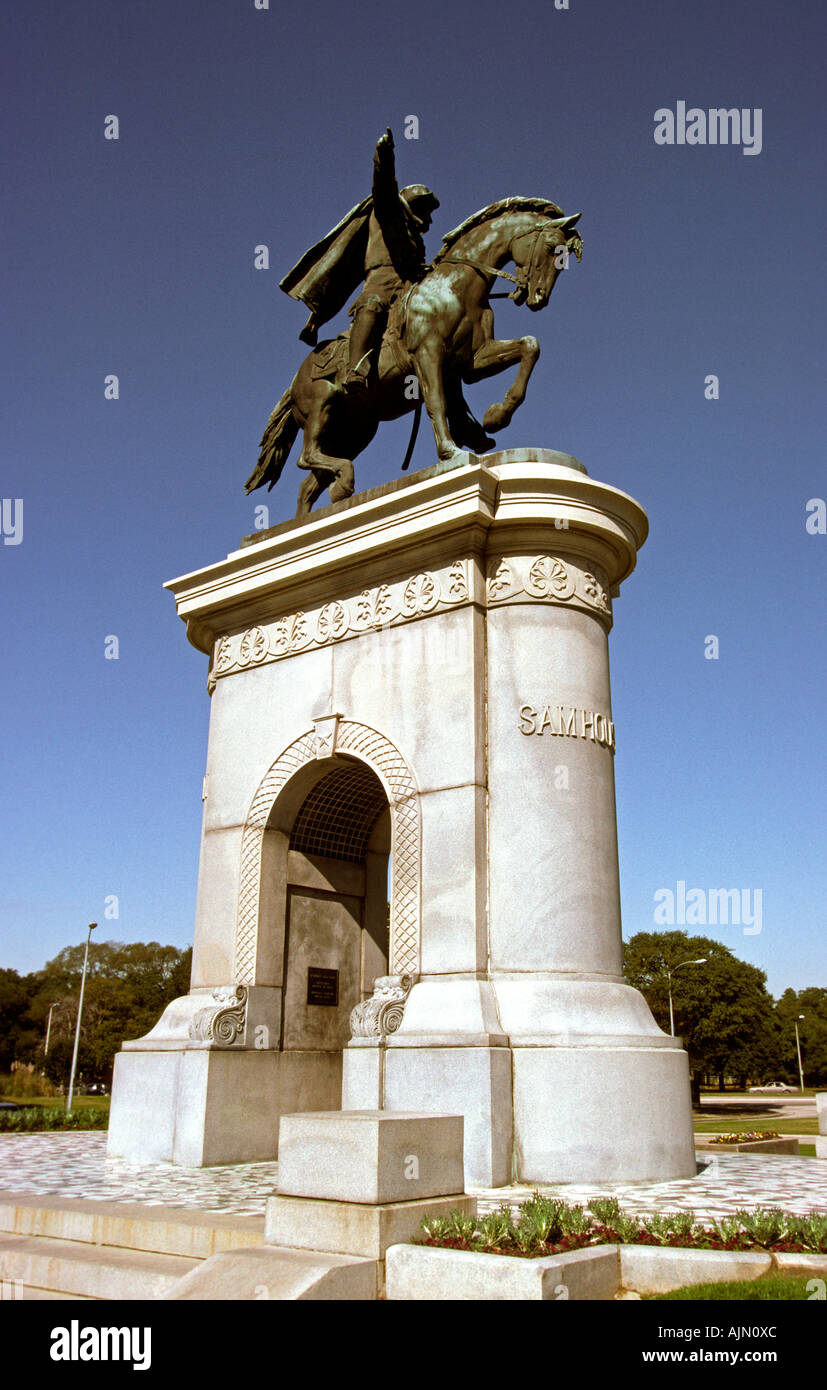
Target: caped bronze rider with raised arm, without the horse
[(382, 243)]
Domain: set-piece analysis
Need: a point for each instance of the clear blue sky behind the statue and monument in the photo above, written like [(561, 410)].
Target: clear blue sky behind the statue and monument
[(241, 127)]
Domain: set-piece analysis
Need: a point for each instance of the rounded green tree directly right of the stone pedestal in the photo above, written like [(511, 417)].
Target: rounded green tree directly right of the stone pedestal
[(723, 1011)]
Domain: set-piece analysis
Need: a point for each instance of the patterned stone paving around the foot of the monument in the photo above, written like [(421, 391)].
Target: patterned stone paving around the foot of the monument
[(76, 1166)]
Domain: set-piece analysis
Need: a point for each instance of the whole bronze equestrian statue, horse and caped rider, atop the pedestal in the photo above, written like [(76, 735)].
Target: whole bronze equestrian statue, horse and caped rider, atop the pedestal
[(415, 329)]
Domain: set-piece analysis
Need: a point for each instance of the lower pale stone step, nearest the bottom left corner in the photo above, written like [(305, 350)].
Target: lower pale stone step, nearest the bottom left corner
[(79, 1268)]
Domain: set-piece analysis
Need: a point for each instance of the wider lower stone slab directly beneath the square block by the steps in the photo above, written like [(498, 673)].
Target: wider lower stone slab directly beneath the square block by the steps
[(352, 1228)]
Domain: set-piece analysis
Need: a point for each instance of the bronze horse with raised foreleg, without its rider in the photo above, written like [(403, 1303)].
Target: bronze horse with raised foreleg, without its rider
[(439, 337)]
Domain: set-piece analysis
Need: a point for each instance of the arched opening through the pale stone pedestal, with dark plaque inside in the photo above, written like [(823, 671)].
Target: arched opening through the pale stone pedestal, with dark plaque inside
[(323, 919)]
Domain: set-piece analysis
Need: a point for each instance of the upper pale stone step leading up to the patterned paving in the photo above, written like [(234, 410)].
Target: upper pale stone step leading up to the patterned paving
[(166, 1231)]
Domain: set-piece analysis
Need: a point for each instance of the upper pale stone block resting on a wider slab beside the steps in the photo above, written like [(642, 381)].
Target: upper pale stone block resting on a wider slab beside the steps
[(370, 1156)]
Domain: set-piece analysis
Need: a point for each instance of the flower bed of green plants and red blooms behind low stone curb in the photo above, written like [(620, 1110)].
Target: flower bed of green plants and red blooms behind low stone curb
[(547, 1227)]
